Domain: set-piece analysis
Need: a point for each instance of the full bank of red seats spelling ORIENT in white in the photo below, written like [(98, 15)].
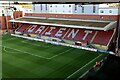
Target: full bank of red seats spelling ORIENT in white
[(82, 35)]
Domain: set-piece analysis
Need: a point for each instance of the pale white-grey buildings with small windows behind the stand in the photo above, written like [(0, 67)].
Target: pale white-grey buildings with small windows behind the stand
[(74, 9)]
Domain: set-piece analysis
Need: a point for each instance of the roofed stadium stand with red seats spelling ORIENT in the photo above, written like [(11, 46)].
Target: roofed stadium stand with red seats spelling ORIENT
[(96, 34)]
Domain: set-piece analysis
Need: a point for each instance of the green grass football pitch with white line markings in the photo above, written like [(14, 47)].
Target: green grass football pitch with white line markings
[(24, 58)]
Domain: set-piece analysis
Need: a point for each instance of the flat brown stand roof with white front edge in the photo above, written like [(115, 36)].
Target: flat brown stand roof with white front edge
[(75, 23)]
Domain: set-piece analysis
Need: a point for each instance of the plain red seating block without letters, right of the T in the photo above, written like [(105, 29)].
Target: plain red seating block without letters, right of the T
[(103, 37)]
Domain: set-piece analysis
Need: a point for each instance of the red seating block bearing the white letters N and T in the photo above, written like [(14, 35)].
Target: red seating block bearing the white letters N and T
[(80, 35)]
